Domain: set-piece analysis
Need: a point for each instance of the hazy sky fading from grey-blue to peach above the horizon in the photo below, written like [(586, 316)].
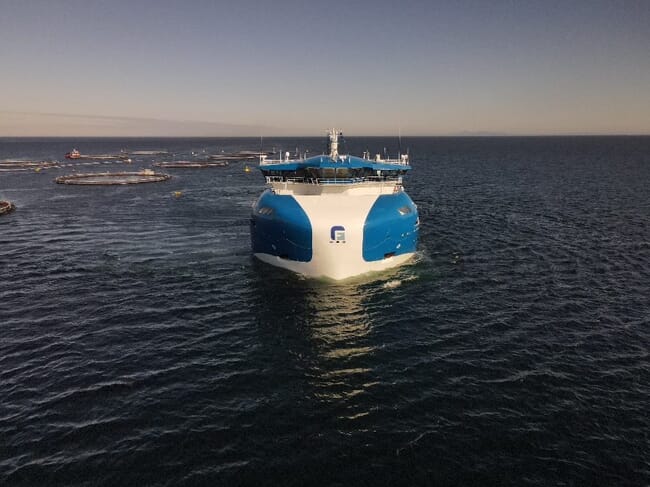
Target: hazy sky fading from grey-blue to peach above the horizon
[(246, 67)]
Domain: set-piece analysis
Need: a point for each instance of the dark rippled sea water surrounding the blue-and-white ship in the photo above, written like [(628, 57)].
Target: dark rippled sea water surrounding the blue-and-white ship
[(142, 345)]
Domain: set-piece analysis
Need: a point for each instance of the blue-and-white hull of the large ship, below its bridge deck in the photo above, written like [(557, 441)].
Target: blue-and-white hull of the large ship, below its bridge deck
[(341, 242)]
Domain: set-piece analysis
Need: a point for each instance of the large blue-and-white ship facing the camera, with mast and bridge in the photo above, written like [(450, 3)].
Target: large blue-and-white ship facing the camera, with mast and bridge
[(333, 215)]
